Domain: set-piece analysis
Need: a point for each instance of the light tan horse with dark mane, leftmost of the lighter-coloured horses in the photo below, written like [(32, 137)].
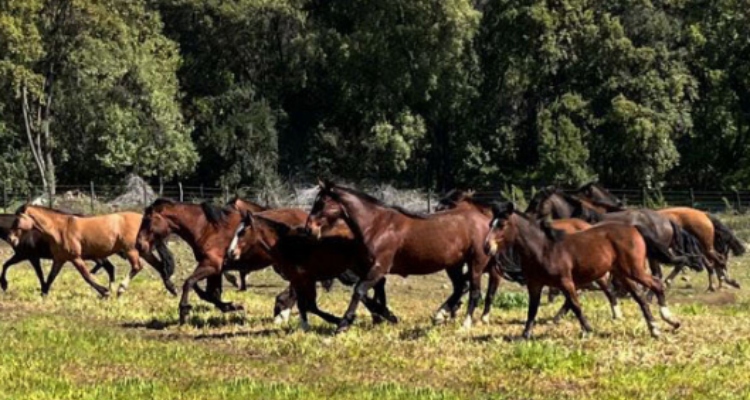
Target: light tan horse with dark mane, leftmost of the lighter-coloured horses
[(75, 238)]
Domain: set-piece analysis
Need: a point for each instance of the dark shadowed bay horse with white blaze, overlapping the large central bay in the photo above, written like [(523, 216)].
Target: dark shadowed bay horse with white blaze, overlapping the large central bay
[(304, 260)]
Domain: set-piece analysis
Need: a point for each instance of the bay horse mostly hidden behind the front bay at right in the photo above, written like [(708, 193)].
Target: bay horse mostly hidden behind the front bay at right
[(458, 199)]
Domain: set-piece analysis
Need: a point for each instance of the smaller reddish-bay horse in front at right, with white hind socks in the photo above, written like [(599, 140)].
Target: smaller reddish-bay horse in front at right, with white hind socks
[(553, 258)]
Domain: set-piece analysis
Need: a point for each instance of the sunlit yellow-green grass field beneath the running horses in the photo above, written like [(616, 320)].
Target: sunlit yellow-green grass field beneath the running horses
[(73, 345)]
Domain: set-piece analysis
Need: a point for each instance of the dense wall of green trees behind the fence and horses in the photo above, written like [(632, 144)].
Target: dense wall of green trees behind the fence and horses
[(420, 93)]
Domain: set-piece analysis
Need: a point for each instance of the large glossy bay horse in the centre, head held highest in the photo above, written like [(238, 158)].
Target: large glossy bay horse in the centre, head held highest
[(401, 242)]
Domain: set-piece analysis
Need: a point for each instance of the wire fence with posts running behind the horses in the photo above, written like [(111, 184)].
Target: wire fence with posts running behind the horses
[(91, 198)]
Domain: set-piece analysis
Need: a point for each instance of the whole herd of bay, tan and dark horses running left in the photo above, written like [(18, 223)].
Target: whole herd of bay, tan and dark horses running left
[(564, 241)]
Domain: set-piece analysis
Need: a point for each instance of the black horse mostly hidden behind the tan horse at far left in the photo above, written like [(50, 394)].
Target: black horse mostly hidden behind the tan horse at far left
[(33, 247)]
